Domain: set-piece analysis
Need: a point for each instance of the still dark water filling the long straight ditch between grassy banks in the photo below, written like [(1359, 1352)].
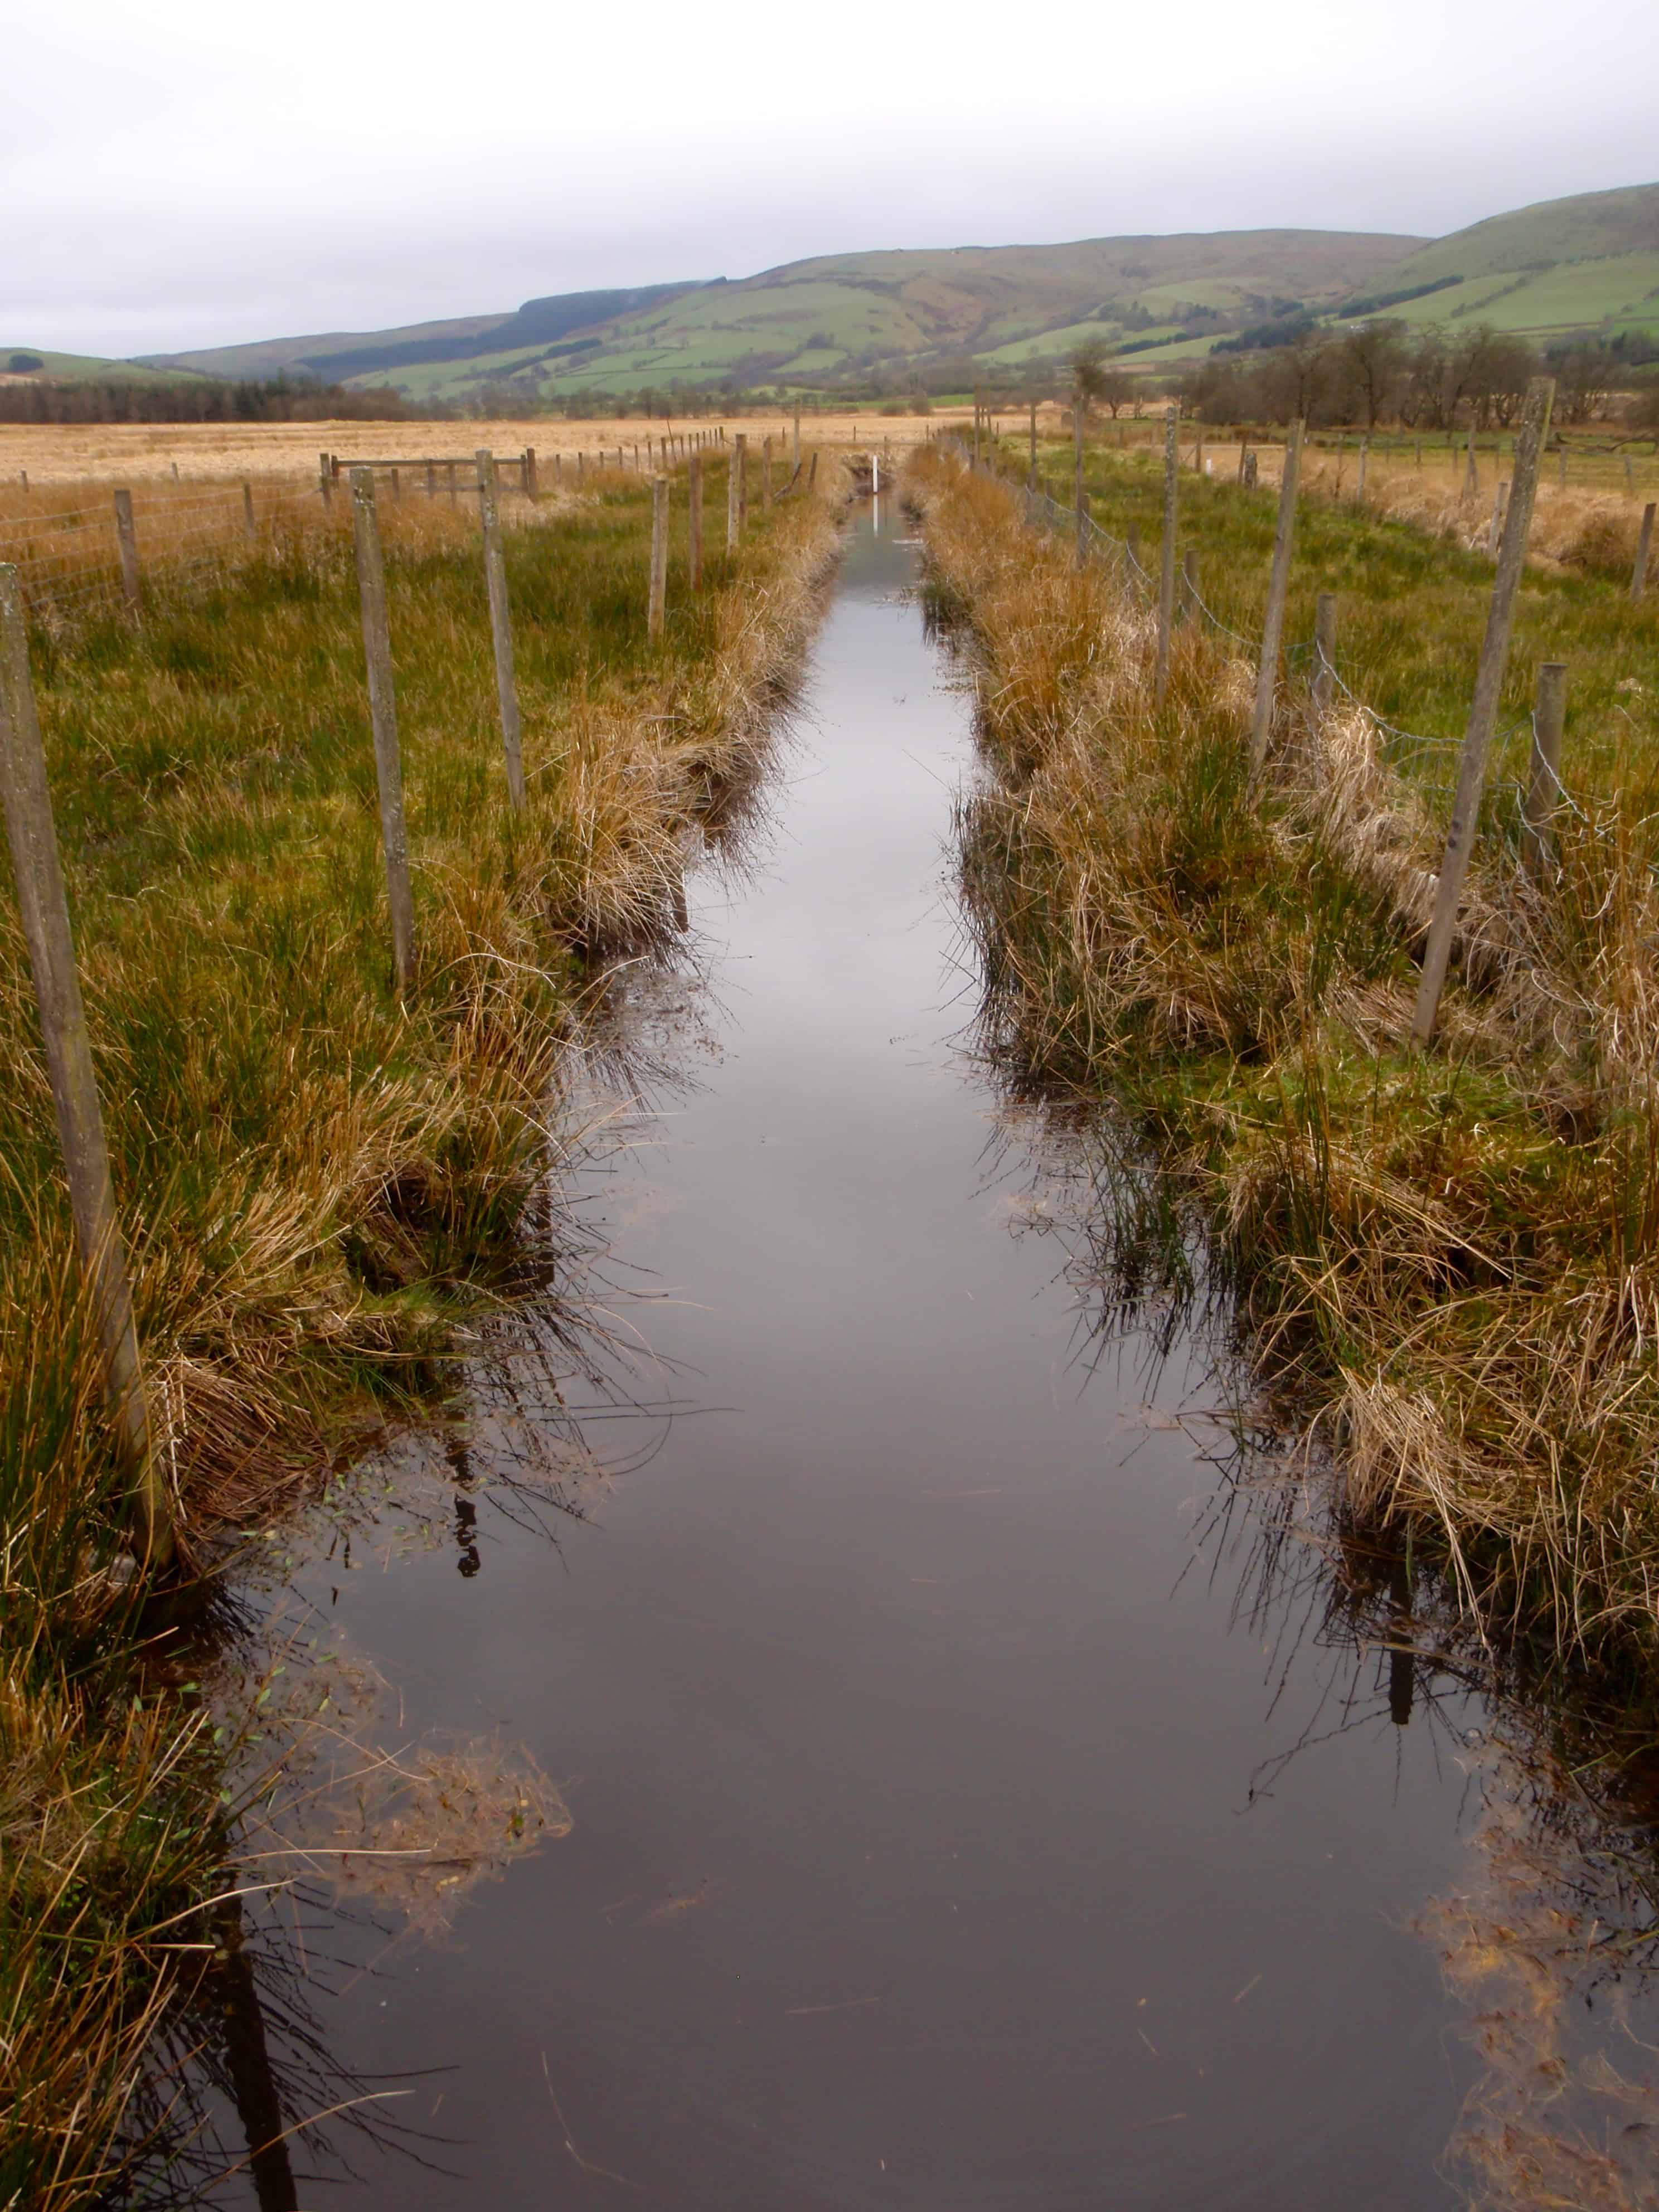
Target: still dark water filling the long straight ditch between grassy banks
[(935, 1841)]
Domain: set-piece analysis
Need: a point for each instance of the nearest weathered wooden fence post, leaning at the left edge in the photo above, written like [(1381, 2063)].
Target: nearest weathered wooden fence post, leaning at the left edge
[(74, 1081)]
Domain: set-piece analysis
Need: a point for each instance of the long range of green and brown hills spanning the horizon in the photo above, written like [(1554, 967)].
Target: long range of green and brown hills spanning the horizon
[(977, 311)]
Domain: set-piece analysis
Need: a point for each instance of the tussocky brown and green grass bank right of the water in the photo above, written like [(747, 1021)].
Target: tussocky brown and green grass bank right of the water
[(1450, 1264)]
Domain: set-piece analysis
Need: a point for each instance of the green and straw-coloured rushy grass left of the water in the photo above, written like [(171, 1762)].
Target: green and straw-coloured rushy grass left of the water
[(324, 1189)]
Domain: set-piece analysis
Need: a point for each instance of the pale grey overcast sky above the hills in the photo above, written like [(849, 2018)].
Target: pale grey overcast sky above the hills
[(185, 174)]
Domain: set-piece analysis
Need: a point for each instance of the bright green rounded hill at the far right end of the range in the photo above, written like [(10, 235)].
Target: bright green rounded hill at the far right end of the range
[(1563, 264)]
